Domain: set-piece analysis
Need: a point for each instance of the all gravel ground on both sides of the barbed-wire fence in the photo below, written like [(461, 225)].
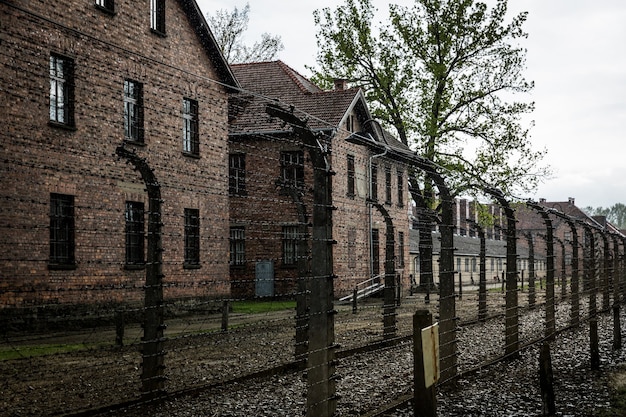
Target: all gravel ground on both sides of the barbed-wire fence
[(60, 384)]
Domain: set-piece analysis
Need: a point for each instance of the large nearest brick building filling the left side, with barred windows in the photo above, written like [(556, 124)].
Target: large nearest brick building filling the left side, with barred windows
[(80, 79)]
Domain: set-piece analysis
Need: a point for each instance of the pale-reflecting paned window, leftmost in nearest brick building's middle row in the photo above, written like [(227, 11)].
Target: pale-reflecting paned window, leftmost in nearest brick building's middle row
[(61, 90)]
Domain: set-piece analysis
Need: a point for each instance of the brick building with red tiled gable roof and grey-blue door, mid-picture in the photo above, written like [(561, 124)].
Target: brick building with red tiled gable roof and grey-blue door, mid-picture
[(266, 158)]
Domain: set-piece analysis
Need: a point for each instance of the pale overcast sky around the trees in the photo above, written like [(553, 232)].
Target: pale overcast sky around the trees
[(576, 56)]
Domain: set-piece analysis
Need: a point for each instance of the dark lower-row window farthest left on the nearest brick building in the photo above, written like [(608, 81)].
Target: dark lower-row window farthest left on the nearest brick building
[(62, 230)]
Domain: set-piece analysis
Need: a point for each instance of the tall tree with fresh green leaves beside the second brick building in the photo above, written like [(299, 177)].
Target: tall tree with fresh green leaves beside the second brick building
[(444, 74)]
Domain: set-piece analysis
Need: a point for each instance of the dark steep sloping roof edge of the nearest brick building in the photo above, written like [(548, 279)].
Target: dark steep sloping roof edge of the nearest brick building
[(201, 27)]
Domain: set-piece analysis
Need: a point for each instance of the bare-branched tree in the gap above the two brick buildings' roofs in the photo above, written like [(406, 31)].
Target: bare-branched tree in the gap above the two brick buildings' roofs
[(229, 27)]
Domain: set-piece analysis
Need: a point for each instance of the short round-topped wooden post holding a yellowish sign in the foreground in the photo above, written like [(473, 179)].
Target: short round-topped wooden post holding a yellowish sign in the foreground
[(425, 401)]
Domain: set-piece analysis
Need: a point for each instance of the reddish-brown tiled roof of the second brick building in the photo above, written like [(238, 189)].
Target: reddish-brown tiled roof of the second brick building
[(275, 80)]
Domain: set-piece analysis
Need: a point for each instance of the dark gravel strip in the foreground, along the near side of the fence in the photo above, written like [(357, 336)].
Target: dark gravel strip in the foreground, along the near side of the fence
[(369, 380)]
